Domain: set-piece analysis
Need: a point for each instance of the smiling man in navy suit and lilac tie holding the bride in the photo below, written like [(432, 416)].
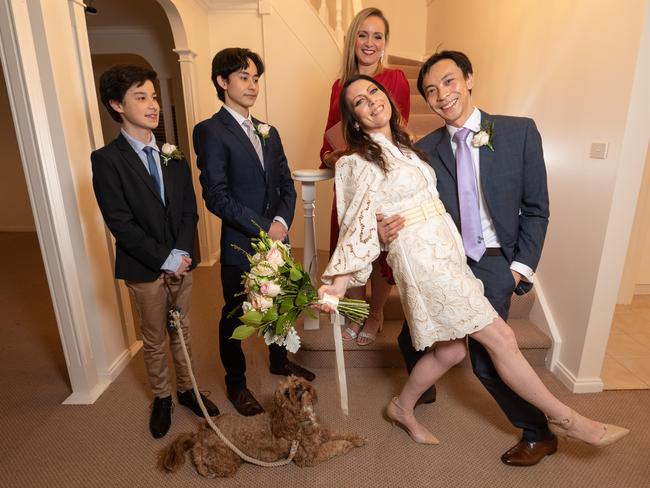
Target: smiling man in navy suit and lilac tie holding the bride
[(511, 207)]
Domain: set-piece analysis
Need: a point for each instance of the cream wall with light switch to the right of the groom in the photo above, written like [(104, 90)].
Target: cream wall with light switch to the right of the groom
[(570, 66)]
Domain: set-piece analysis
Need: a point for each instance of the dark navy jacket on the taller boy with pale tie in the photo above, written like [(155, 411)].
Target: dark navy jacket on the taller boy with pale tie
[(235, 186)]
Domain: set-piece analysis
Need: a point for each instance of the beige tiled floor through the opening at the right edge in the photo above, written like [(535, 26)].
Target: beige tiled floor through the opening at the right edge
[(627, 360)]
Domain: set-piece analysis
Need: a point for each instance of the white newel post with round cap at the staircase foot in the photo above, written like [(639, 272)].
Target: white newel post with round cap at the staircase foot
[(308, 179)]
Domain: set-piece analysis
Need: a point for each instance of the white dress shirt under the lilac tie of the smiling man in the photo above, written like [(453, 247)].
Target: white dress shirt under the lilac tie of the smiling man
[(473, 123)]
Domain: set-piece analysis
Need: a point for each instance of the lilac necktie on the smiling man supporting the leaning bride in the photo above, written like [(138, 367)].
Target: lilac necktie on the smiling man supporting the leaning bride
[(470, 217)]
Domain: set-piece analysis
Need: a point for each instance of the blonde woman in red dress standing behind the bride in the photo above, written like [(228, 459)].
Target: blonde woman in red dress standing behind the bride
[(363, 53)]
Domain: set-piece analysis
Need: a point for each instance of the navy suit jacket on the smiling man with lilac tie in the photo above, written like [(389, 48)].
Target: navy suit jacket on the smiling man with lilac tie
[(513, 180)]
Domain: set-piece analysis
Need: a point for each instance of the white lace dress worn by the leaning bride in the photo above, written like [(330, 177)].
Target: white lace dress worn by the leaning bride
[(442, 299)]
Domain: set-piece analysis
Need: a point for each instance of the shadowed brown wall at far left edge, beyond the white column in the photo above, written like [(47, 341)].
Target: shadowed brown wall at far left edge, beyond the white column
[(15, 209)]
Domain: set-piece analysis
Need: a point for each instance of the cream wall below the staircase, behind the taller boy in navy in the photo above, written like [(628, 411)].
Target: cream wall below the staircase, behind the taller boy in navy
[(301, 61)]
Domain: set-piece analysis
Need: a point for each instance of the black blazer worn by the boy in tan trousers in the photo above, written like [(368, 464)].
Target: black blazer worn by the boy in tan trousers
[(145, 230)]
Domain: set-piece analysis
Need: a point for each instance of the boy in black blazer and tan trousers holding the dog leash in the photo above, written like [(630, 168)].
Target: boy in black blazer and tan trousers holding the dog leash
[(150, 209)]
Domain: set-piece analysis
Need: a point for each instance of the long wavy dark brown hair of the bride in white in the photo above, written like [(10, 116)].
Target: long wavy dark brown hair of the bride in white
[(360, 142)]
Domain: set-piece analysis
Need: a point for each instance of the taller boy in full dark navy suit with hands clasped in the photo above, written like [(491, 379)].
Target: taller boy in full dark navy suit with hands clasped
[(245, 178)]
